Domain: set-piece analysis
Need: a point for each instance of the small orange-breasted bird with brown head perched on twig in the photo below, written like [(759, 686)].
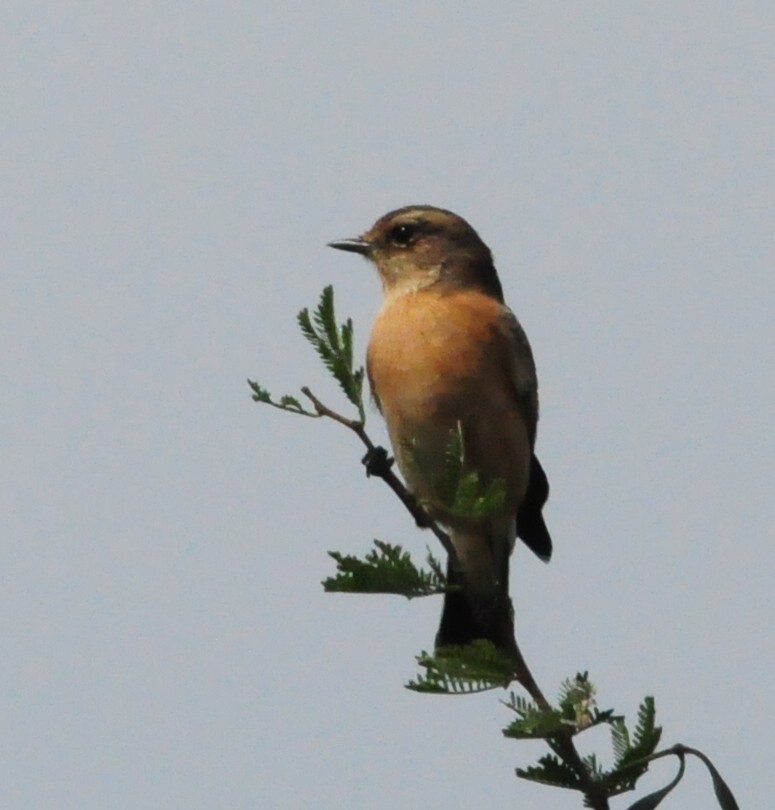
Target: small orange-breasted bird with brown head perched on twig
[(447, 357)]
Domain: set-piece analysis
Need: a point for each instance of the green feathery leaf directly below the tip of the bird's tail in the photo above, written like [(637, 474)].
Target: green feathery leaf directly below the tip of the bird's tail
[(463, 670)]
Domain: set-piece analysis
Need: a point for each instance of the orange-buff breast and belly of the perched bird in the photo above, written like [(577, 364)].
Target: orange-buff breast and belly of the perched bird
[(436, 359)]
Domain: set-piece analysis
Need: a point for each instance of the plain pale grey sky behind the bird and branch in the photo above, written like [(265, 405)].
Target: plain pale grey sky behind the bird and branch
[(171, 173)]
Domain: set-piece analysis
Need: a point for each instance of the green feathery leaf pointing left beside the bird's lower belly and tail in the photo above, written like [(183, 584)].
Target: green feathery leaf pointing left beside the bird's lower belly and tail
[(386, 569)]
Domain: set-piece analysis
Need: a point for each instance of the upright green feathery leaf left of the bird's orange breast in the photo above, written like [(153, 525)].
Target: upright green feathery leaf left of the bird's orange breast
[(334, 345)]
